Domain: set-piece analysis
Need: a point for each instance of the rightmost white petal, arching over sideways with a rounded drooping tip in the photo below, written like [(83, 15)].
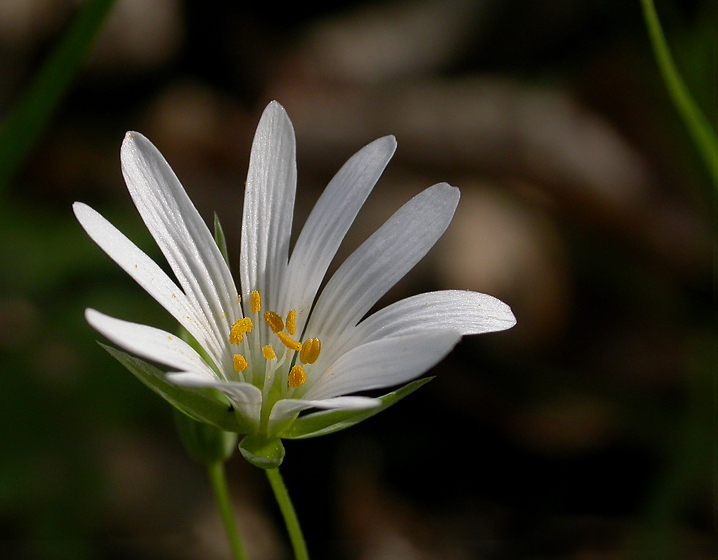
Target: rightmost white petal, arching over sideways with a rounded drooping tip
[(464, 311)]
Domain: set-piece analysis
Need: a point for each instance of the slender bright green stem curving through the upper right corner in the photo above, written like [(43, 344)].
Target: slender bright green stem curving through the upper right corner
[(698, 125)]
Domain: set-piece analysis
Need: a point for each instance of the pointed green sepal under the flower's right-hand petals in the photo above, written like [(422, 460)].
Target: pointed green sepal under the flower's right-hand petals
[(330, 421)]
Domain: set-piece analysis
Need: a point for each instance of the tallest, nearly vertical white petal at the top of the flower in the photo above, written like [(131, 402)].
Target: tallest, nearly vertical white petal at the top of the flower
[(268, 206)]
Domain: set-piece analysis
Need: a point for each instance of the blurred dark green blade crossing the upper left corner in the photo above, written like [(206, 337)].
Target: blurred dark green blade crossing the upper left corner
[(31, 113)]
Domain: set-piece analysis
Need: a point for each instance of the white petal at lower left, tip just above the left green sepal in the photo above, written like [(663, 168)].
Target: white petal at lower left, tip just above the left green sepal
[(151, 343)]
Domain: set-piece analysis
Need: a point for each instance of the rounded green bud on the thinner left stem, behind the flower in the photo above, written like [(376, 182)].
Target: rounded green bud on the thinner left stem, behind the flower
[(204, 442)]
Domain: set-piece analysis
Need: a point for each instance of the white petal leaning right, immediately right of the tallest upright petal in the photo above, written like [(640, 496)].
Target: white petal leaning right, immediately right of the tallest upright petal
[(328, 223)]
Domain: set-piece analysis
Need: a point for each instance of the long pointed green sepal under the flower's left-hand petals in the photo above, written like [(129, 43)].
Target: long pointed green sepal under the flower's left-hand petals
[(196, 403)]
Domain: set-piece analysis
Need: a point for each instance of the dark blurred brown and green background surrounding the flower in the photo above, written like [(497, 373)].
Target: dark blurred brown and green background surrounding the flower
[(582, 433)]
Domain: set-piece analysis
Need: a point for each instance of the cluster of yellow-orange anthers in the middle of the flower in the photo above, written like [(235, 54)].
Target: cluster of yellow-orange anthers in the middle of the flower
[(308, 351)]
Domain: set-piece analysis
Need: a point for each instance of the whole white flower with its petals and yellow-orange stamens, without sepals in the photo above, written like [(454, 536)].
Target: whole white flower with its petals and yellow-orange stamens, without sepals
[(274, 348)]
